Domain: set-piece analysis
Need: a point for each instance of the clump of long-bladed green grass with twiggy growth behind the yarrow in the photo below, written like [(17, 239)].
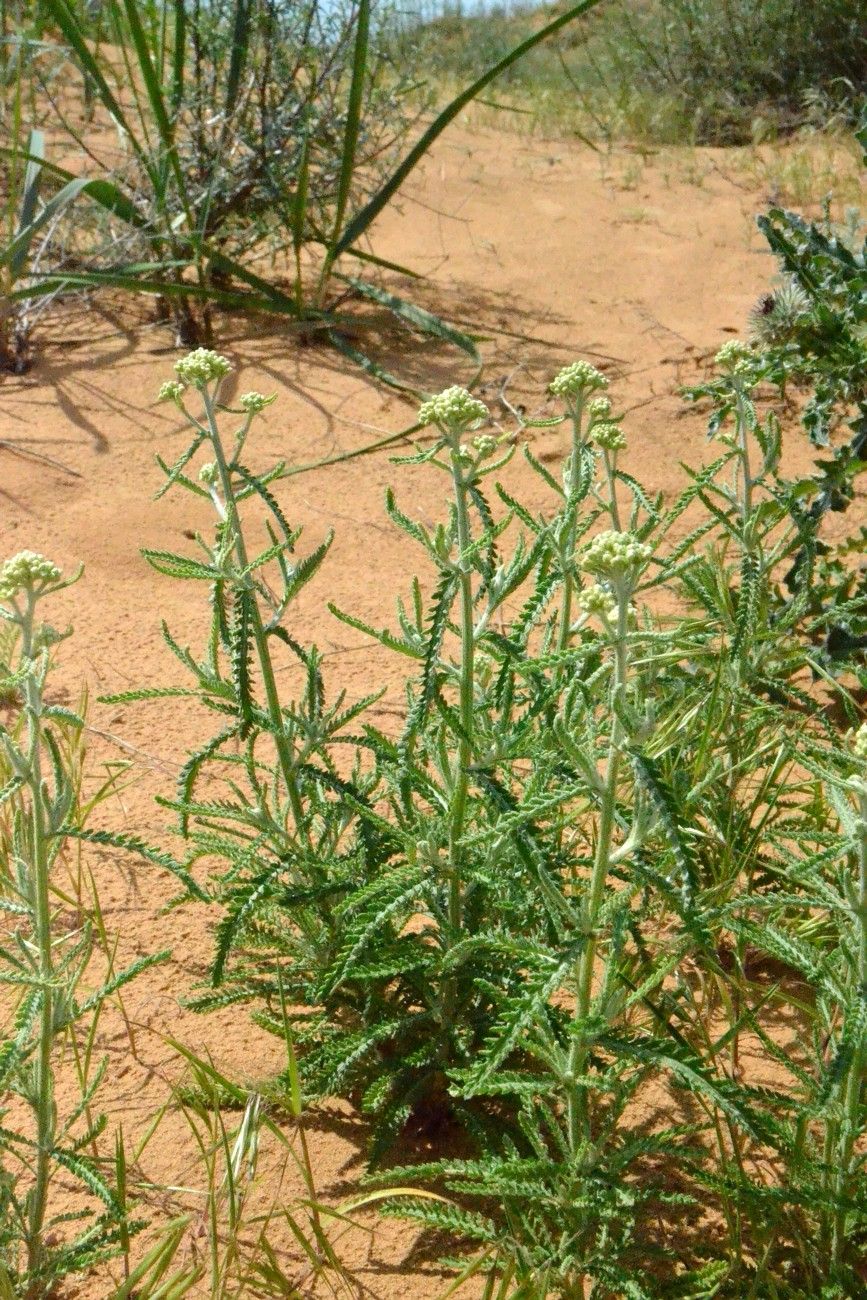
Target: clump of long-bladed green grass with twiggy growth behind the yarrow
[(248, 132)]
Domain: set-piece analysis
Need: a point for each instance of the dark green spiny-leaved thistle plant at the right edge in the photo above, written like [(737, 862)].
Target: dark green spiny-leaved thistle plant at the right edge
[(810, 332)]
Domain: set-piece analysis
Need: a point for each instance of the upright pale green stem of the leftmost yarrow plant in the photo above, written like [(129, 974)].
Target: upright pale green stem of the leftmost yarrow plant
[(40, 864)]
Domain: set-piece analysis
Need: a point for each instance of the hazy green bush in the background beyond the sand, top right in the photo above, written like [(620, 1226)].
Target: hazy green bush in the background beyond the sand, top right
[(674, 71)]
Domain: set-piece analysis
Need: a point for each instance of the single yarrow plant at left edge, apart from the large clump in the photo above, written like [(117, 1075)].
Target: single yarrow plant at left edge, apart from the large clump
[(45, 963)]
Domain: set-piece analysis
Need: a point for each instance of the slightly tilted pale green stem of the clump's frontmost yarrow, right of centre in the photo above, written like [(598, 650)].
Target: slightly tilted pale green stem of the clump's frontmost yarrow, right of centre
[(578, 1104)]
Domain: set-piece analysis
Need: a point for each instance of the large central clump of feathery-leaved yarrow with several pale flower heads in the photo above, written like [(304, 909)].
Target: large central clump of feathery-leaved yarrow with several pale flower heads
[(548, 886)]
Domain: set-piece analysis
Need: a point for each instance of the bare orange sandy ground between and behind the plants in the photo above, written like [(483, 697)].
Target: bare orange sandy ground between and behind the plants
[(548, 252)]
